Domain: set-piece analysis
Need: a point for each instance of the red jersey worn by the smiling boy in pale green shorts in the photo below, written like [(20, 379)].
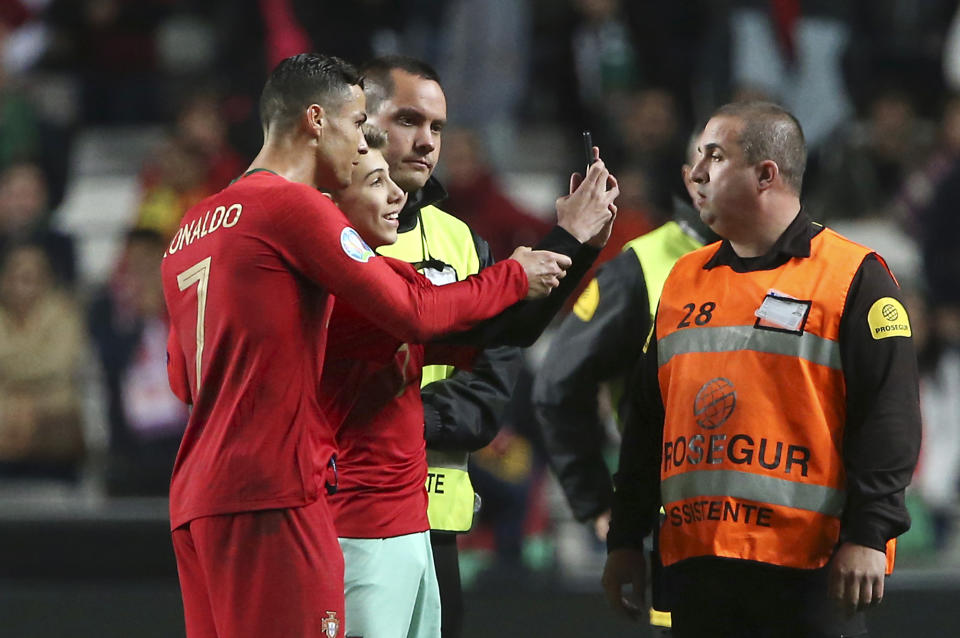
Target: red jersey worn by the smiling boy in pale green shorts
[(371, 382)]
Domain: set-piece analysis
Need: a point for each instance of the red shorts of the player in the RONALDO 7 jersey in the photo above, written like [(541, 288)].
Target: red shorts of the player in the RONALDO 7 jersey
[(261, 574)]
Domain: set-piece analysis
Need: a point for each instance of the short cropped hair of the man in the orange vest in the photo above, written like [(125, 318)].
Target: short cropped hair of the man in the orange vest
[(771, 132)]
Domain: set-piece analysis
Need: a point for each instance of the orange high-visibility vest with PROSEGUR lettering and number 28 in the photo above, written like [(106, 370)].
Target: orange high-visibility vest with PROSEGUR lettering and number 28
[(755, 399)]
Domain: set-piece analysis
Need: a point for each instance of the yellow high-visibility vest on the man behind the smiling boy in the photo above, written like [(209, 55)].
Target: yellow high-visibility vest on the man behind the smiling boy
[(445, 238)]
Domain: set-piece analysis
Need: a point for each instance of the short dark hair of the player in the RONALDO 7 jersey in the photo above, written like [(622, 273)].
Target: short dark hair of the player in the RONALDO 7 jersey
[(302, 80)]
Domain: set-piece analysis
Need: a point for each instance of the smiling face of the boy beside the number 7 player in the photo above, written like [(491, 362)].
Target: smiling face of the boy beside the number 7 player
[(372, 202)]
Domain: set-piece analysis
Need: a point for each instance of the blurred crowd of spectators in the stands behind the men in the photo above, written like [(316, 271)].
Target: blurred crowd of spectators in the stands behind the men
[(875, 84)]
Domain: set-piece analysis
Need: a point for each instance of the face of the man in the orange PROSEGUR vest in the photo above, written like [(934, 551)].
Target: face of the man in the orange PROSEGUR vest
[(724, 184)]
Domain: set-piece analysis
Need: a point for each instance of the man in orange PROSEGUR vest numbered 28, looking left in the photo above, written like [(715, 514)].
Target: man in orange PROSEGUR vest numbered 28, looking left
[(775, 413)]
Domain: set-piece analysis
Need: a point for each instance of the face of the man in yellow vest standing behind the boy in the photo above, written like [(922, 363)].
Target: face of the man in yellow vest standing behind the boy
[(413, 117)]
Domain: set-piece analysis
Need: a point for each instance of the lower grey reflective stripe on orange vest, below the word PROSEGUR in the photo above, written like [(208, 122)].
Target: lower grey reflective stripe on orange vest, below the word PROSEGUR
[(754, 487)]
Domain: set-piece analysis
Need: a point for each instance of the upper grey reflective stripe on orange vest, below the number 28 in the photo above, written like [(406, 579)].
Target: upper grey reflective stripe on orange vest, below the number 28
[(733, 338)]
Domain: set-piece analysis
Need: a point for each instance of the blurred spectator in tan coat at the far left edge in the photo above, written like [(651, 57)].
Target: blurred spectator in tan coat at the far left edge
[(41, 345)]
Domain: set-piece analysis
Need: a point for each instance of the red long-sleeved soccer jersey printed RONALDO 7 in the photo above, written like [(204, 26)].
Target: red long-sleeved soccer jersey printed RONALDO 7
[(248, 280)]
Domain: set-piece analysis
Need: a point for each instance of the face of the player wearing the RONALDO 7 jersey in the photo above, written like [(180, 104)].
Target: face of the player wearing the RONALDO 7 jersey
[(341, 144)]
